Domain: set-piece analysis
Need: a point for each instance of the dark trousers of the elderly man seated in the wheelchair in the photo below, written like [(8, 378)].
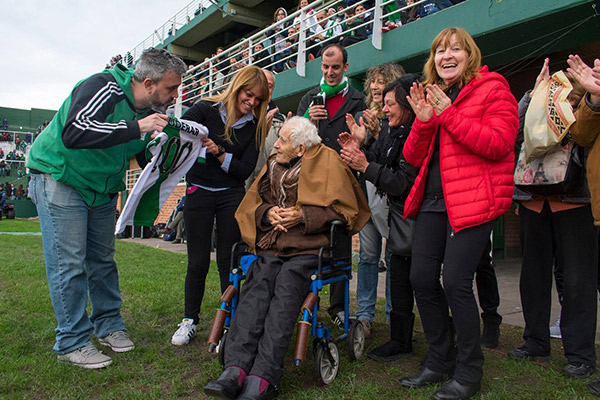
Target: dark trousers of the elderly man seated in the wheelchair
[(262, 326)]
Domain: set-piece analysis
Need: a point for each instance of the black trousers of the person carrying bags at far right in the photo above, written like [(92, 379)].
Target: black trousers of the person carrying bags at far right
[(572, 238)]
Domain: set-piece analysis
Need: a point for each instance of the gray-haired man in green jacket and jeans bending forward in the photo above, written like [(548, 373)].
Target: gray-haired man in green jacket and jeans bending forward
[(77, 168)]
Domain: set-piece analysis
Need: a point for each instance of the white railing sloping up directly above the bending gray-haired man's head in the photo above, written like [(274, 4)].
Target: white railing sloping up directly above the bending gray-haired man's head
[(167, 29)]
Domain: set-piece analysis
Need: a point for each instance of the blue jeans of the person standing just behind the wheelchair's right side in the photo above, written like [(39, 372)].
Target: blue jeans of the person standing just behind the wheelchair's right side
[(368, 273)]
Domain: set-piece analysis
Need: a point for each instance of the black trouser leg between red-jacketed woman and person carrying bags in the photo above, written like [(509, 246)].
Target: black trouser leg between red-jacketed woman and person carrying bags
[(487, 287)]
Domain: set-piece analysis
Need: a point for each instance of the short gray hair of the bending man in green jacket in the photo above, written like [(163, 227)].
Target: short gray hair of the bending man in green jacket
[(153, 63)]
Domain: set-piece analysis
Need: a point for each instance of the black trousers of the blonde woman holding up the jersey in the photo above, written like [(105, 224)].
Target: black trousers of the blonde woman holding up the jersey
[(201, 208)]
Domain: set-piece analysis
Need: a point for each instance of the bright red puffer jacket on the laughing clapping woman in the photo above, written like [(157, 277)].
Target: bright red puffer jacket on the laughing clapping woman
[(477, 138)]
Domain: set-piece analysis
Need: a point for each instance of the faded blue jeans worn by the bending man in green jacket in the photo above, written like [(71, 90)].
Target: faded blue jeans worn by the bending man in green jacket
[(79, 248)]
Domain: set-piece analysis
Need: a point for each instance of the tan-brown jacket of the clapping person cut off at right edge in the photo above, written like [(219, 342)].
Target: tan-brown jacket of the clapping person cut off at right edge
[(585, 132)]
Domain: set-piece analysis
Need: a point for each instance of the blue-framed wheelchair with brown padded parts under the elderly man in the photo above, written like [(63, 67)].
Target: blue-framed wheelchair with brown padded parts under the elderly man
[(334, 265)]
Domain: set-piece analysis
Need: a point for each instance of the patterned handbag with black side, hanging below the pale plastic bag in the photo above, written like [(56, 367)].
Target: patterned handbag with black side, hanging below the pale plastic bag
[(559, 171)]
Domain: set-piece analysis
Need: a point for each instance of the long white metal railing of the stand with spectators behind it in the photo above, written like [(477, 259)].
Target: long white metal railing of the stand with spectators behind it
[(272, 49)]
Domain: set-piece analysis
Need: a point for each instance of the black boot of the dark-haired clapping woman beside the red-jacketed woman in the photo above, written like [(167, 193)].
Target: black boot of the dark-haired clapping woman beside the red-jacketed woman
[(400, 344)]
